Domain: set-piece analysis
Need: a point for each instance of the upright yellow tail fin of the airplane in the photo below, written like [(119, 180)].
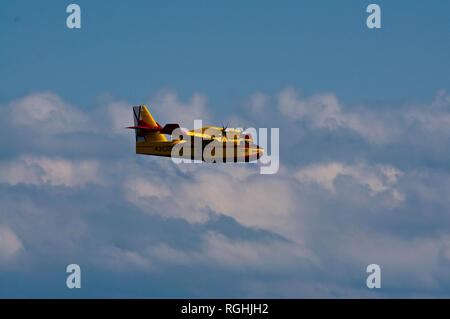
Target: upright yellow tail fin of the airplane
[(143, 118)]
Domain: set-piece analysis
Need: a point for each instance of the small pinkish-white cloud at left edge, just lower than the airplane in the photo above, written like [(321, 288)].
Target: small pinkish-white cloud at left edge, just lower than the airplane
[(49, 171)]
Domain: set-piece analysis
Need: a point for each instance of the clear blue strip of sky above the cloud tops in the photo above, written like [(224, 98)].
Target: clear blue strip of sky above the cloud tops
[(227, 49)]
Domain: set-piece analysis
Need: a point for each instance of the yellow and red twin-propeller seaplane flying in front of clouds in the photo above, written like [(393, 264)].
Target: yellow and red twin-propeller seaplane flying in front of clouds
[(209, 144)]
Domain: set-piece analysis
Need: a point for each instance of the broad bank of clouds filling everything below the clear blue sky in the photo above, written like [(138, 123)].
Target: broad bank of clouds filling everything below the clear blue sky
[(358, 184)]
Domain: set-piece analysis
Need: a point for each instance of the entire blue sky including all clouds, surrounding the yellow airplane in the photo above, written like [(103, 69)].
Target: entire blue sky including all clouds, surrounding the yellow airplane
[(364, 125)]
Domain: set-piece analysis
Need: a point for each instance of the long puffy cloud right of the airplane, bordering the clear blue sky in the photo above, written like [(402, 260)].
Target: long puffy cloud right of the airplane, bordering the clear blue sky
[(380, 125)]
